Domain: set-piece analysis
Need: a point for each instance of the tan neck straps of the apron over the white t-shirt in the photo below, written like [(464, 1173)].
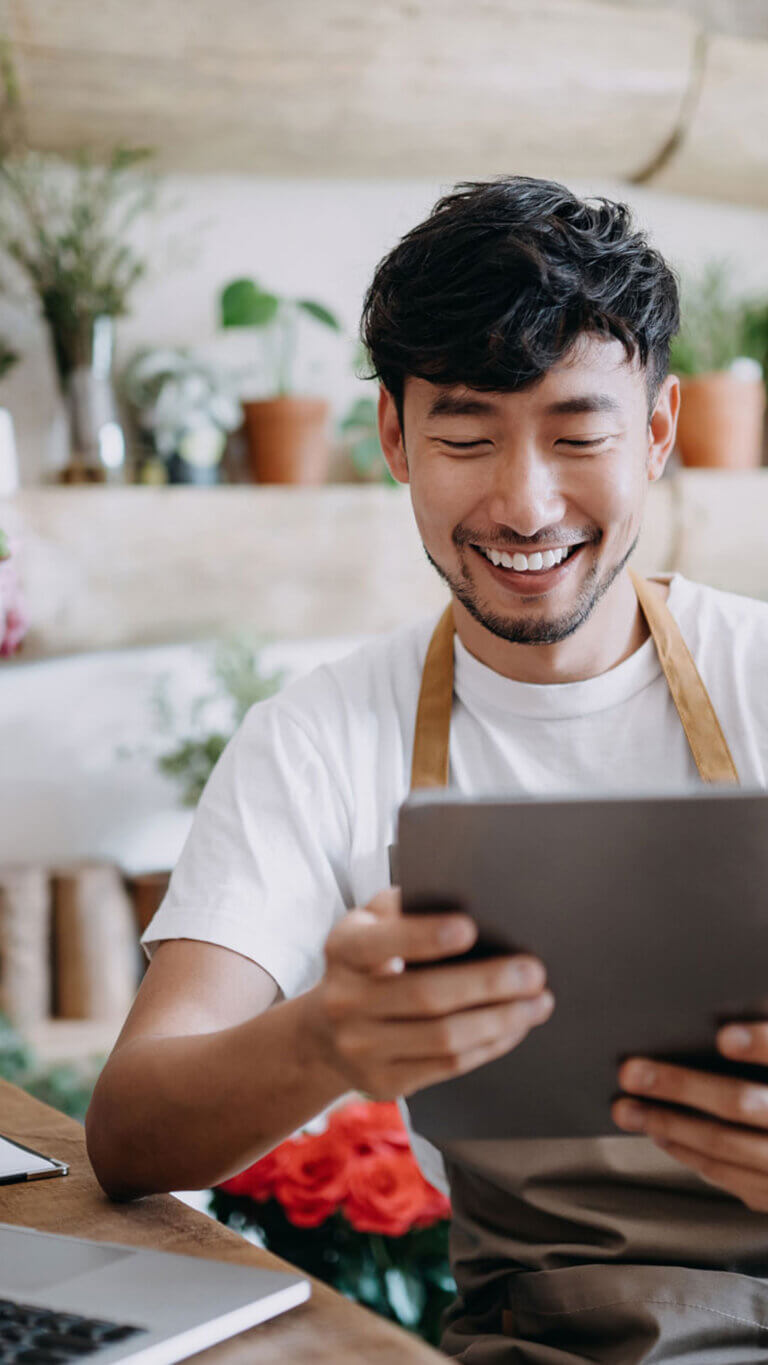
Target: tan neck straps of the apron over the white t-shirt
[(432, 741)]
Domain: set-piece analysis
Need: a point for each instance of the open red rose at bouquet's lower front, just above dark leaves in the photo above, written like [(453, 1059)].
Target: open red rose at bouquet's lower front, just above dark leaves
[(387, 1194)]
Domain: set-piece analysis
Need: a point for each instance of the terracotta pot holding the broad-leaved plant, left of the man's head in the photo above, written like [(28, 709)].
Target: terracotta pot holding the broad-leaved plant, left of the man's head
[(289, 440)]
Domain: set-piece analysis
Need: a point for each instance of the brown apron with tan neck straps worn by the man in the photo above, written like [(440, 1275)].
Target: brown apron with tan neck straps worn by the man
[(597, 1250)]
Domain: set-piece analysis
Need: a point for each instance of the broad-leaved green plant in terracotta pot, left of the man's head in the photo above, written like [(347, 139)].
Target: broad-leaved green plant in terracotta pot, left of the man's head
[(289, 433)]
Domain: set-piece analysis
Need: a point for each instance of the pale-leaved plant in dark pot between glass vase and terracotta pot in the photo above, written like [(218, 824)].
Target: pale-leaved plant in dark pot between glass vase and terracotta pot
[(185, 409)]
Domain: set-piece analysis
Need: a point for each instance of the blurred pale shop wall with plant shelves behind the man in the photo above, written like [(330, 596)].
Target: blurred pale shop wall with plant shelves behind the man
[(193, 502)]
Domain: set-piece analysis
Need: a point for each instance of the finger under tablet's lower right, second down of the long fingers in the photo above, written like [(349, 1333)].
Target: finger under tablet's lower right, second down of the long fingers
[(710, 1138)]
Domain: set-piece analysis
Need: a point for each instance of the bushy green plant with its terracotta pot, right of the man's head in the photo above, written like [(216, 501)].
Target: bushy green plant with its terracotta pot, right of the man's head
[(720, 356)]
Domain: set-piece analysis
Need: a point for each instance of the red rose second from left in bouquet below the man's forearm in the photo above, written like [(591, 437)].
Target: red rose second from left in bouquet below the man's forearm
[(312, 1177)]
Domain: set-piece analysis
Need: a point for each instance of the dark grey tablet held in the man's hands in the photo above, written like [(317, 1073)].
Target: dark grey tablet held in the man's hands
[(650, 913)]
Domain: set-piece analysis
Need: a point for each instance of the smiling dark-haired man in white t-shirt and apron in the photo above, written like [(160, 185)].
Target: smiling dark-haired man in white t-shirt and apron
[(522, 341)]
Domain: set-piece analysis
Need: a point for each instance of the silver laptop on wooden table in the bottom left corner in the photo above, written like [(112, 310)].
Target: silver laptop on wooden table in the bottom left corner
[(63, 1300)]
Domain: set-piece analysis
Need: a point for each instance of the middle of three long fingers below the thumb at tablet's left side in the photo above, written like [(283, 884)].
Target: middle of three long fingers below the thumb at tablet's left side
[(448, 1037)]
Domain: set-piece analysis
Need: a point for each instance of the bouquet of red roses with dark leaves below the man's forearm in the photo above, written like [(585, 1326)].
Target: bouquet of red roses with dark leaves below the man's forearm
[(351, 1207)]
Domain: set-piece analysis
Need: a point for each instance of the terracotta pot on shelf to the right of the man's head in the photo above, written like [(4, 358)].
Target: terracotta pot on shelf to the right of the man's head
[(721, 421)]
